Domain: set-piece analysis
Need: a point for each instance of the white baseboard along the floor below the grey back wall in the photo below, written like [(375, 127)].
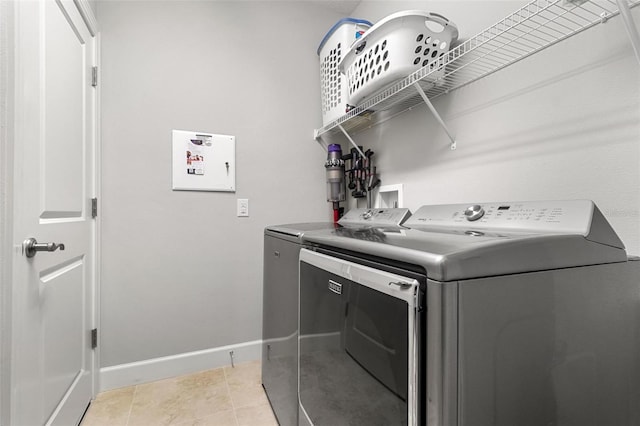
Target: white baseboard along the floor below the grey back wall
[(150, 370)]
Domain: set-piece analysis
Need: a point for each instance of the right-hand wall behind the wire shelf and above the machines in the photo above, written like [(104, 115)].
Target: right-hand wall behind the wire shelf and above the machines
[(562, 124)]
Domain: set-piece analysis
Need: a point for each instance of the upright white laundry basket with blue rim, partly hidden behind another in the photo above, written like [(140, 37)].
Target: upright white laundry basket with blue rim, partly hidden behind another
[(333, 88)]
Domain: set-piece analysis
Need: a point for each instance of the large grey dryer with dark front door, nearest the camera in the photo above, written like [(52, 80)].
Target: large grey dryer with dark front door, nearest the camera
[(500, 313)]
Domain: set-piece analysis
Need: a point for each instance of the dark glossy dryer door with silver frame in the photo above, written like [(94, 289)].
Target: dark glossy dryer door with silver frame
[(357, 361)]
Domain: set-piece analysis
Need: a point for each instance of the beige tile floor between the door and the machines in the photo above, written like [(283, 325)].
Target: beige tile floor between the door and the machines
[(223, 396)]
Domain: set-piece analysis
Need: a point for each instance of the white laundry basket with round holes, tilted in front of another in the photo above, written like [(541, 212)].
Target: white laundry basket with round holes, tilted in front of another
[(393, 48)]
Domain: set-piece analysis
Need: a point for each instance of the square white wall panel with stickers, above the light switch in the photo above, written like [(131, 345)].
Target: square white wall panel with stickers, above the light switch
[(203, 161)]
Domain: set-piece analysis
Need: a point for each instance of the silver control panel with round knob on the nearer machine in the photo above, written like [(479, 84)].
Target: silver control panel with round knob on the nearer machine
[(573, 216)]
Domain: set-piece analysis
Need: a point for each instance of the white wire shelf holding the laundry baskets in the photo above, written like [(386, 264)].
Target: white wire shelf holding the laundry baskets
[(532, 28)]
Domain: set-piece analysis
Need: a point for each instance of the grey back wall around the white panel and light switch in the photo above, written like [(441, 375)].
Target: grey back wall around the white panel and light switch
[(181, 272)]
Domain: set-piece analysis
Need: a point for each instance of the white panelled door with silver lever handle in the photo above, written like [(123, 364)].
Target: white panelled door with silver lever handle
[(53, 292)]
